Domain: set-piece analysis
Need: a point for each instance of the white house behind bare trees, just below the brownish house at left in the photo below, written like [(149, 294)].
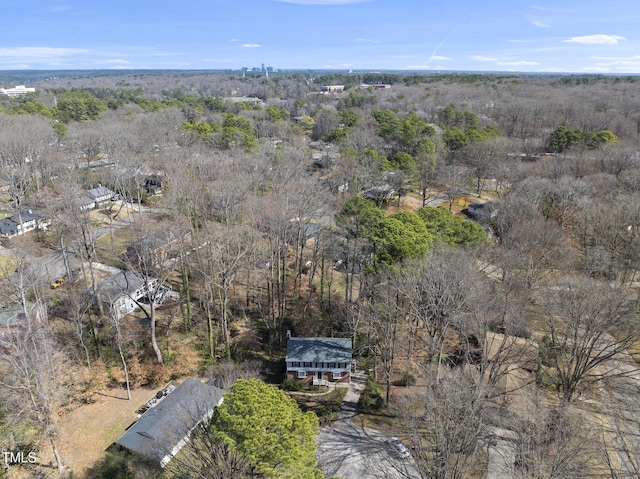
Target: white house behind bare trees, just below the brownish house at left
[(122, 292)]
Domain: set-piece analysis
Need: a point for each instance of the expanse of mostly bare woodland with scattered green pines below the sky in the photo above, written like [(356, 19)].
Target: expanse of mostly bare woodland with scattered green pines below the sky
[(476, 234)]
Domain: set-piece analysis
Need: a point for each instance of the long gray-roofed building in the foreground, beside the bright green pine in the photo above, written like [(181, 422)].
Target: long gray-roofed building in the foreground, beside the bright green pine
[(165, 428)]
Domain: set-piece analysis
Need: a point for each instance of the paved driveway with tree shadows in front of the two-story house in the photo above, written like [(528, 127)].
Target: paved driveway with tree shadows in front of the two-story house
[(349, 451)]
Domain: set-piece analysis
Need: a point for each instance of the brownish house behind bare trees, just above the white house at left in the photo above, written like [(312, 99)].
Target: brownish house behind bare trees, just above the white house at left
[(155, 249)]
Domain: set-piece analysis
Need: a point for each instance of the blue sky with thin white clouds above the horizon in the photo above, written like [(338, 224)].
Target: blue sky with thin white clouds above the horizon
[(472, 35)]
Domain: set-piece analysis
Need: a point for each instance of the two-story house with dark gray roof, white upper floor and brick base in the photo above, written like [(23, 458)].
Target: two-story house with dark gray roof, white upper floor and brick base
[(319, 360)]
